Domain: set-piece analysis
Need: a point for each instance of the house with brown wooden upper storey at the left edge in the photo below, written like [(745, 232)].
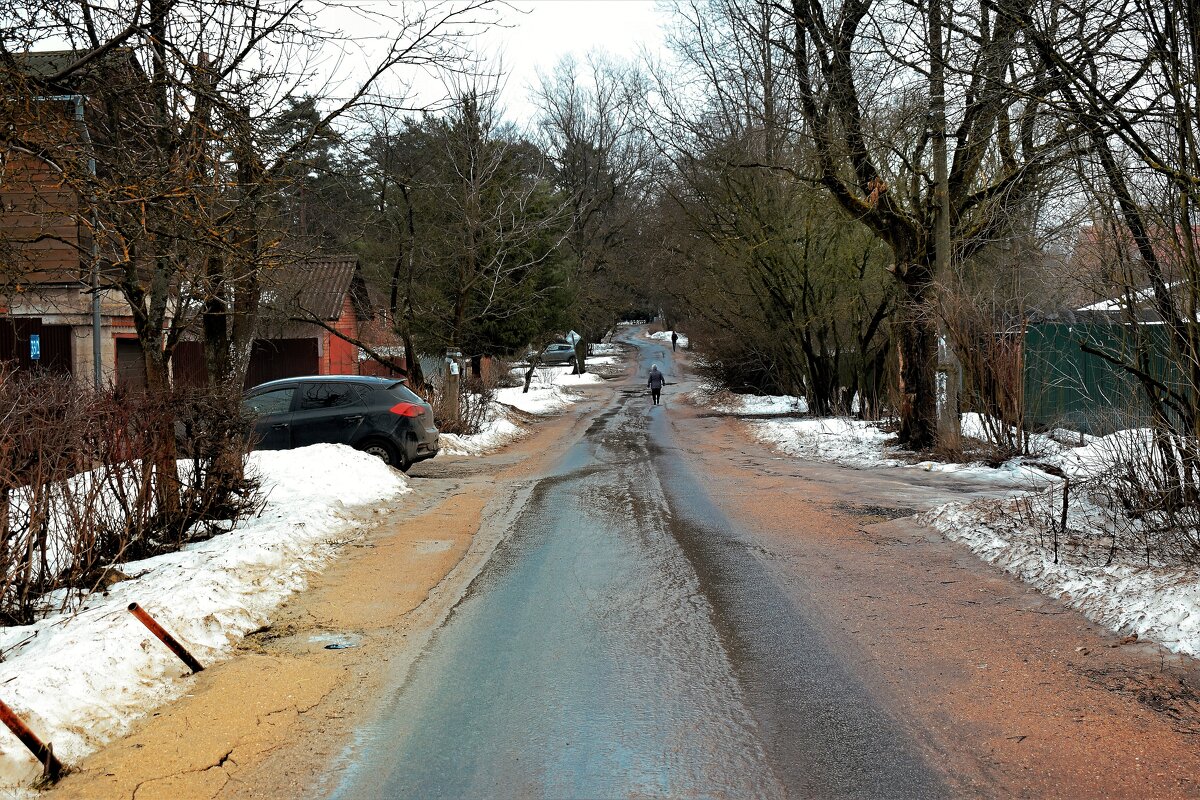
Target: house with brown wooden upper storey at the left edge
[(47, 262)]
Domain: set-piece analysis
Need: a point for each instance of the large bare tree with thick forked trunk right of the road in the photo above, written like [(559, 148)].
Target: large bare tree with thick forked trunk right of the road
[(869, 94)]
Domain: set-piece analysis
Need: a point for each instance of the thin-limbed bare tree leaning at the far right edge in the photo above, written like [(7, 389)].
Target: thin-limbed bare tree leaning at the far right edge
[(1130, 76)]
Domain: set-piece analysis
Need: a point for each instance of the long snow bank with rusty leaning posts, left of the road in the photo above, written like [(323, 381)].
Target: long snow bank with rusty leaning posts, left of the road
[(80, 679)]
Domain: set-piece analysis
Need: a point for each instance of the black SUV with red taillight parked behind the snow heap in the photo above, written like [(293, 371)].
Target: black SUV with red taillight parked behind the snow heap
[(377, 416)]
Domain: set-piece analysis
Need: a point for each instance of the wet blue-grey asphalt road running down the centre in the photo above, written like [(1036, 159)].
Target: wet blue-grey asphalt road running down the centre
[(628, 641)]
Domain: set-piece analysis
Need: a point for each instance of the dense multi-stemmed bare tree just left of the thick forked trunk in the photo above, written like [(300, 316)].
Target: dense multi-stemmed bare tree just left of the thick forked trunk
[(777, 280)]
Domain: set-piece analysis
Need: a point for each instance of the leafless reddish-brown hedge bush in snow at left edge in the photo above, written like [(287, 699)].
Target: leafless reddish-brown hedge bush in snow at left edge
[(77, 485)]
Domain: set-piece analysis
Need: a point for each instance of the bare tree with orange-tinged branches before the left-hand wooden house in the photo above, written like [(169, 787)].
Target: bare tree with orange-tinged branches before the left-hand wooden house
[(182, 196)]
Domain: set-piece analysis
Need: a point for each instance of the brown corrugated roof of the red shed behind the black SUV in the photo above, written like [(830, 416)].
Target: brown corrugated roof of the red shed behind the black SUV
[(319, 287)]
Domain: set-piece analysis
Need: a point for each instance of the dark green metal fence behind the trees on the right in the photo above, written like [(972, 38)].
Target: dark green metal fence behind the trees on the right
[(1066, 387)]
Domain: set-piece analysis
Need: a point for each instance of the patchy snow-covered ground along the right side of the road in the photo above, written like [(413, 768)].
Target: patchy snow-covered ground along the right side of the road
[(1157, 603)]
